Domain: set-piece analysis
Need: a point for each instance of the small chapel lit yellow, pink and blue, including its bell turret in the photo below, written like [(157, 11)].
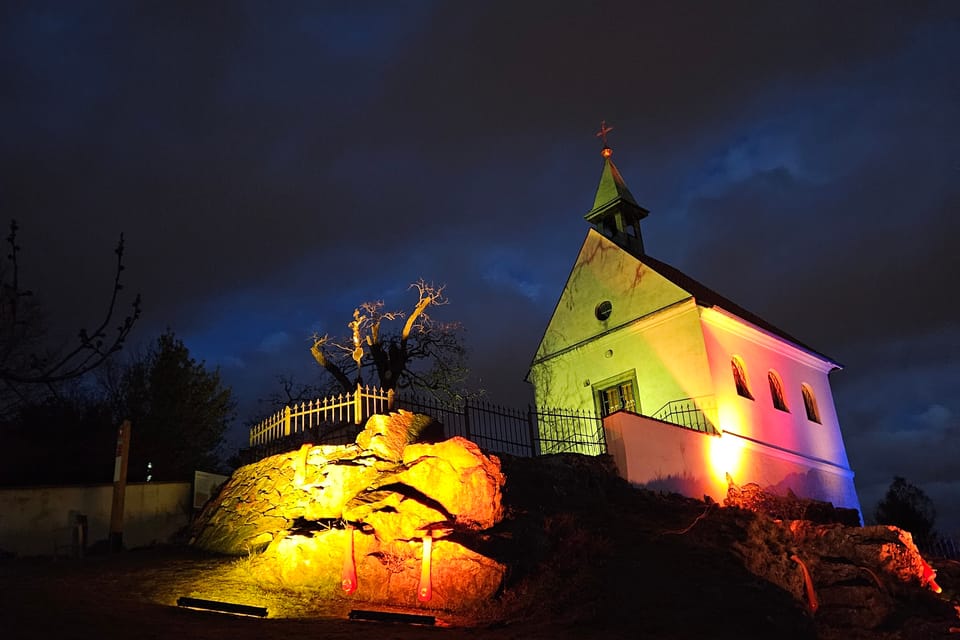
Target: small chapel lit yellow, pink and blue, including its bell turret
[(694, 390)]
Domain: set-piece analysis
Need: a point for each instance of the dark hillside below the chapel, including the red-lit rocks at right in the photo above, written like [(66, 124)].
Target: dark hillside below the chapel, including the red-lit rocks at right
[(588, 548)]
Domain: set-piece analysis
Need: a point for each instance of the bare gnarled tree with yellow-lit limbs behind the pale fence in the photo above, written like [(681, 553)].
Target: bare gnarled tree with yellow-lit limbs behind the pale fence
[(424, 354)]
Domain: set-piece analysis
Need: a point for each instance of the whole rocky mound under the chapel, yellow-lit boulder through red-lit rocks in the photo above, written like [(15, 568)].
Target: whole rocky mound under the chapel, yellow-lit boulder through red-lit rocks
[(561, 543)]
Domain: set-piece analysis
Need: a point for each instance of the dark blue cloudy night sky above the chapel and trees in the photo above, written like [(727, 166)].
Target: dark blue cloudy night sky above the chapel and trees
[(274, 164)]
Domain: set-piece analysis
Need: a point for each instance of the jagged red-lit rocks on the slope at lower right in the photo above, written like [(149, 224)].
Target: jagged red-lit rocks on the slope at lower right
[(853, 579)]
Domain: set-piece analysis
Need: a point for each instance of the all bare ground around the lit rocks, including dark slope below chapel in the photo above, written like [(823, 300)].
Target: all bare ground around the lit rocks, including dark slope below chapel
[(587, 558)]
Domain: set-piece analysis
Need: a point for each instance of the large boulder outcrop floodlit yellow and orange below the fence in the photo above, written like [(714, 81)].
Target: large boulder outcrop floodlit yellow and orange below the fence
[(365, 519)]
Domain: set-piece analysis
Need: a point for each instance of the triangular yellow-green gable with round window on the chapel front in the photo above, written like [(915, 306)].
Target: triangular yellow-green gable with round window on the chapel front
[(608, 287)]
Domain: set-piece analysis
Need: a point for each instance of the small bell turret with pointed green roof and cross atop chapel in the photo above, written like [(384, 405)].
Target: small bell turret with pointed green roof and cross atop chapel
[(615, 211)]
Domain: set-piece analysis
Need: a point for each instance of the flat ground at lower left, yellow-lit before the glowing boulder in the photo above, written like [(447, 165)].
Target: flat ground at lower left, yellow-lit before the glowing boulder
[(133, 594)]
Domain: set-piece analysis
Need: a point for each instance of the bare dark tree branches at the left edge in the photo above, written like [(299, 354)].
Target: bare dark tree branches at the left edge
[(25, 358)]
